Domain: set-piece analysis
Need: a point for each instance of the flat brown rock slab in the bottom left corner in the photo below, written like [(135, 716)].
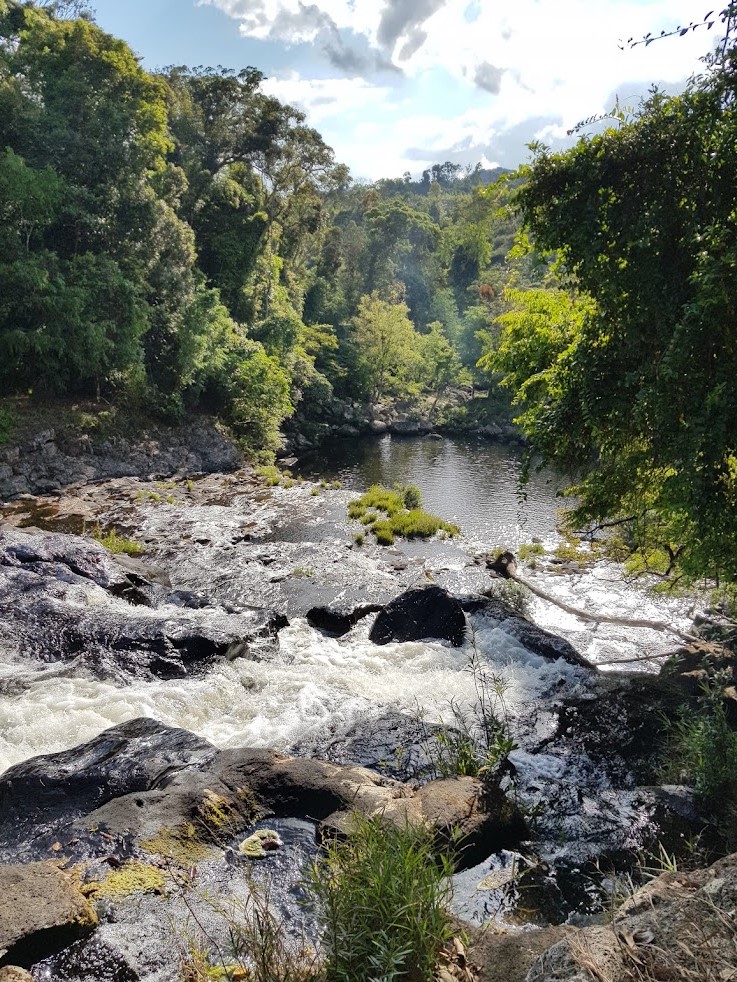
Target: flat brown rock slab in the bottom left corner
[(42, 911)]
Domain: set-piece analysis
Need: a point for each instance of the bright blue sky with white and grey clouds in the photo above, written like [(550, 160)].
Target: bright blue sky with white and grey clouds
[(397, 85)]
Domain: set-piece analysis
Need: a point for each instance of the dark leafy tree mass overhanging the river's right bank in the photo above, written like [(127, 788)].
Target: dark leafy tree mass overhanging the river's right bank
[(625, 366)]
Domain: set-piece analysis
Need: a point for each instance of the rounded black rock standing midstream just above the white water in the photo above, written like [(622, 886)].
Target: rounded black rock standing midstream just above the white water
[(426, 612)]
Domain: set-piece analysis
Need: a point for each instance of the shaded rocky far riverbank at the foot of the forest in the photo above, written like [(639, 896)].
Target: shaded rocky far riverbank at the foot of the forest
[(47, 447)]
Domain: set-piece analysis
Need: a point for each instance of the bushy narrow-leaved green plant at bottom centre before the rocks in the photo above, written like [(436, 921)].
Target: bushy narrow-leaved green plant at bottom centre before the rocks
[(381, 899)]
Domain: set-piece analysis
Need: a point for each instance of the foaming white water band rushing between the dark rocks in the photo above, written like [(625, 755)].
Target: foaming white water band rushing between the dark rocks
[(311, 683)]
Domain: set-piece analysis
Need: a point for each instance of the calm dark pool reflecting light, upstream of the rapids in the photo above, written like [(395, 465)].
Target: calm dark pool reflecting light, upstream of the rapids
[(472, 482)]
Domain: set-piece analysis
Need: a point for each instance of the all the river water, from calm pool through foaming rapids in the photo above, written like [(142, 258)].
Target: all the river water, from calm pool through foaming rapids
[(237, 543)]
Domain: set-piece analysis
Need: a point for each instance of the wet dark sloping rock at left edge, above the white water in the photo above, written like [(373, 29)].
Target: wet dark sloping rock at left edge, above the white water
[(67, 598)]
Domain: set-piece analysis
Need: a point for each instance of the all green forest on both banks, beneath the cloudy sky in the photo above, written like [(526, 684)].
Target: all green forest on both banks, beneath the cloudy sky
[(183, 241)]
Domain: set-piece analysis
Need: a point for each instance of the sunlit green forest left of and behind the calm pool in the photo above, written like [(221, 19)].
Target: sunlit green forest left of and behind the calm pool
[(185, 241)]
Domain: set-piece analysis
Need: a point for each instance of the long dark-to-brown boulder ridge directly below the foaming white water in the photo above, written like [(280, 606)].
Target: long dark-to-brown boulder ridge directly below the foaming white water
[(144, 782)]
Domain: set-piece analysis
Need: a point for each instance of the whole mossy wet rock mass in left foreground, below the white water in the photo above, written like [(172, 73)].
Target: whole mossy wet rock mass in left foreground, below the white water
[(133, 814)]
